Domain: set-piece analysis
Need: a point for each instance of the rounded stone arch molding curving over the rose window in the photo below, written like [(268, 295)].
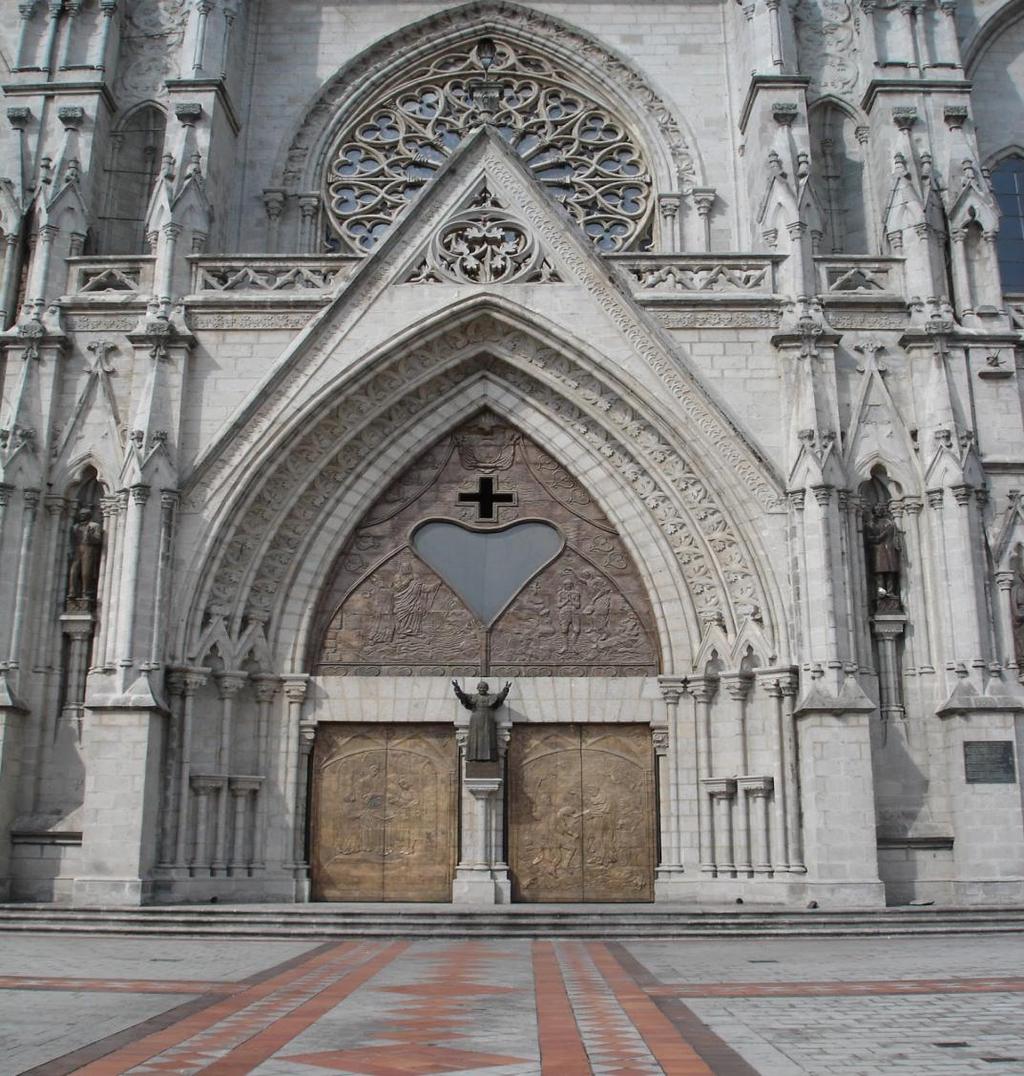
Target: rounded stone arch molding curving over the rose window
[(669, 144)]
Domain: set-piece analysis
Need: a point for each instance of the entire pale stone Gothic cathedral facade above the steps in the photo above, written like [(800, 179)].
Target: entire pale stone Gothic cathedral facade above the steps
[(493, 451)]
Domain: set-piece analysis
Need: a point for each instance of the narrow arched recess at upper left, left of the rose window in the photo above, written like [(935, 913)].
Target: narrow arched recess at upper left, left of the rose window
[(132, 173)]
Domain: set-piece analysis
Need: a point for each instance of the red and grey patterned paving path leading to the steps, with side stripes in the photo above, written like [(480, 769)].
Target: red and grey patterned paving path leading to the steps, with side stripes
[(387, 1008)]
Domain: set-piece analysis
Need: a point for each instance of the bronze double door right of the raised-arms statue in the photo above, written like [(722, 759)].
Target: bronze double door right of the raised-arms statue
[(581, 813)]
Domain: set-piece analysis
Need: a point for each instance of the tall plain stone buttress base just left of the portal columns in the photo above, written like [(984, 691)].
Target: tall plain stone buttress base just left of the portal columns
[(120, 814)]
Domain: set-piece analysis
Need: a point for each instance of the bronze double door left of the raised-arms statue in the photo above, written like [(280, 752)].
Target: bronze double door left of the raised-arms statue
[(385, 813)]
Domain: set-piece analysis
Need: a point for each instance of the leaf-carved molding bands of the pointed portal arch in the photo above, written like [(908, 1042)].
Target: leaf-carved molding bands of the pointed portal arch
[(262, 548)]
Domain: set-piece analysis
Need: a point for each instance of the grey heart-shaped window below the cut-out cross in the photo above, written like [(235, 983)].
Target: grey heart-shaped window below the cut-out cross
[(488, 569)]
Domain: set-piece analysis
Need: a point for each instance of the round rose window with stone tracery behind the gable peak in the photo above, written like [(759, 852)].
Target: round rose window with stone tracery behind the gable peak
[(578, 148)]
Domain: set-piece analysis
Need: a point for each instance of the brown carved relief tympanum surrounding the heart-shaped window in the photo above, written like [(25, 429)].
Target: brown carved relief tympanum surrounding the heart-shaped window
[(587, 610)]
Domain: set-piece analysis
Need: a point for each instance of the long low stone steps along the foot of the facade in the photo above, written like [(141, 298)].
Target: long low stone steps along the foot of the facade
[(311, 922)]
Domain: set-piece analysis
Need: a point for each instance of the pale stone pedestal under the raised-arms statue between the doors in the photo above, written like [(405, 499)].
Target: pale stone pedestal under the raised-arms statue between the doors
[(482, 876)]
